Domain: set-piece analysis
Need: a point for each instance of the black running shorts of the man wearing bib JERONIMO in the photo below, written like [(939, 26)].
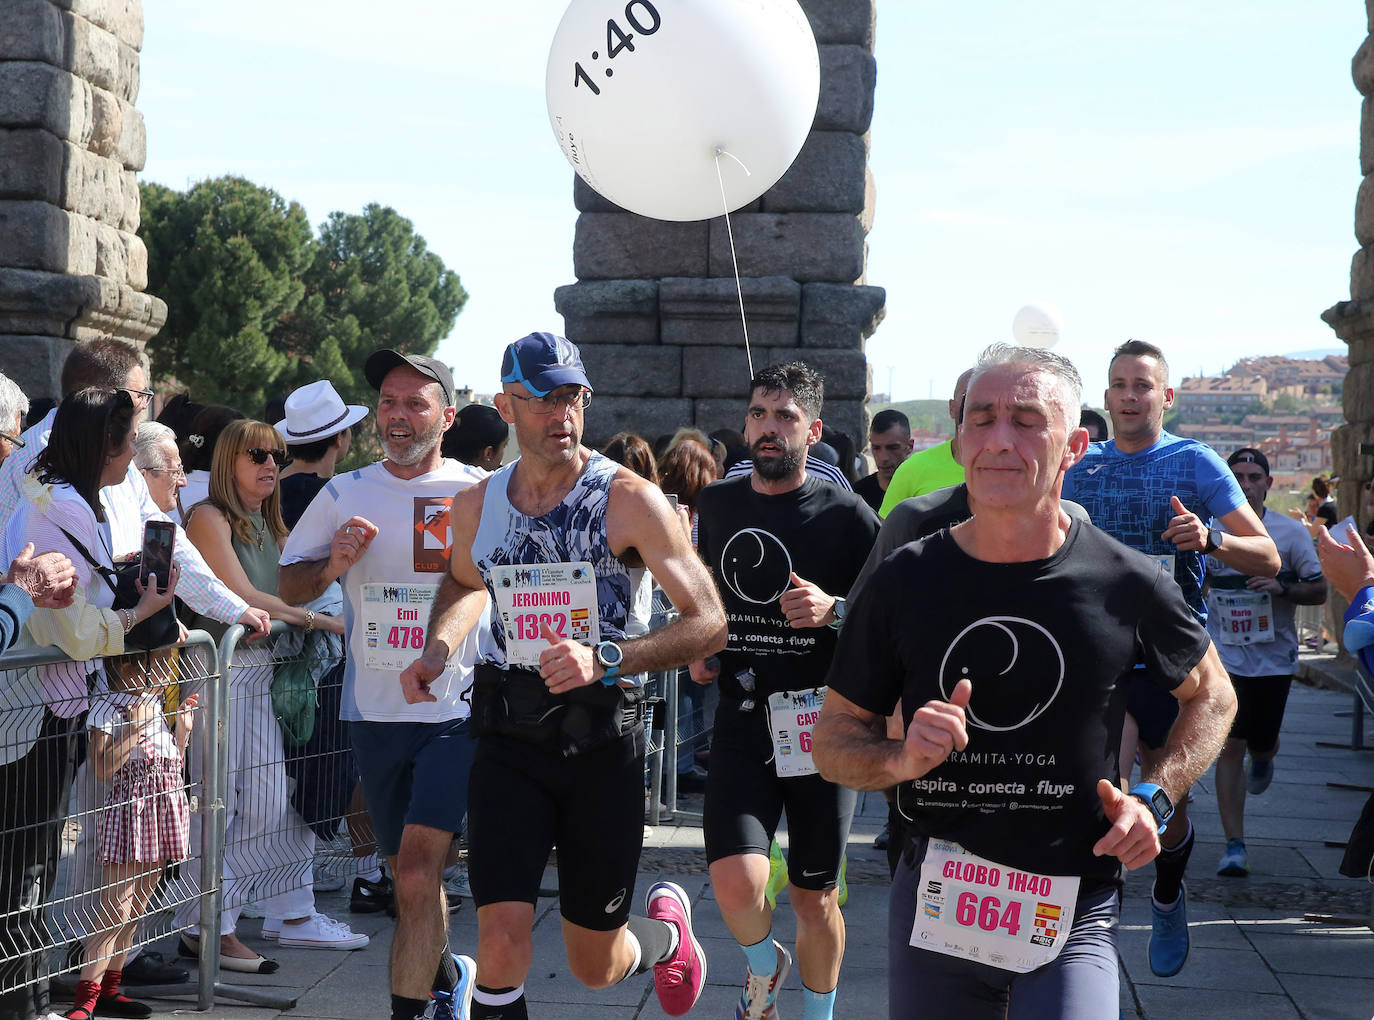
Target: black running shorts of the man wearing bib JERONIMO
[(524, 799)]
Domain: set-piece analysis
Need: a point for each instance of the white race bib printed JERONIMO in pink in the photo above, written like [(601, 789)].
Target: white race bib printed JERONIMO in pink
[(532, 596)]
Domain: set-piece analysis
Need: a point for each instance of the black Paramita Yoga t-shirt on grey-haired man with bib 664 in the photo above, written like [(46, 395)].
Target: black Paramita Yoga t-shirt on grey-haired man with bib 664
[(1048, 647)]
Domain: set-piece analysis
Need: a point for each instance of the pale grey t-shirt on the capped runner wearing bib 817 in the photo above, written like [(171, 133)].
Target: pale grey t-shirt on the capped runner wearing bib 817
[(1298, 562)]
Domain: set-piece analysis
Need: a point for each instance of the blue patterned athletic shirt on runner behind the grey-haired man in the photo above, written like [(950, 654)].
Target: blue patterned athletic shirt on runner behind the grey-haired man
[(1127, 496)]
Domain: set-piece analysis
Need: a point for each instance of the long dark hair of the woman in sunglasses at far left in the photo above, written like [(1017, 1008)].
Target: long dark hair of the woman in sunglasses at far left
[(91, 425)]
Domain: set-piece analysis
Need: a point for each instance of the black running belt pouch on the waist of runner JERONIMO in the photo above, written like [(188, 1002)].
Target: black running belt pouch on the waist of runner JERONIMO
[(516, 705)]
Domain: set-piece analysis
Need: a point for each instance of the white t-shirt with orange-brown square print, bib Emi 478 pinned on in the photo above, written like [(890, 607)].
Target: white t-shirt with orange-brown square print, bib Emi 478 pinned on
[(390, 592)]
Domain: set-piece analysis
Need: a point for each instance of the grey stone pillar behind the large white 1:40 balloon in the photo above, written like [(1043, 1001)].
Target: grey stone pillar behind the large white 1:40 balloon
[(656, 311)]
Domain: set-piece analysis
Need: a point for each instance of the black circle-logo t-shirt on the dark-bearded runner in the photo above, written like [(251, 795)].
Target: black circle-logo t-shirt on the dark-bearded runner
[(752, 544)]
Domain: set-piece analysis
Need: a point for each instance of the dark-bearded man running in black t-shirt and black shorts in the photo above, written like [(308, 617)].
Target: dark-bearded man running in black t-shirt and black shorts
[(784, 546)]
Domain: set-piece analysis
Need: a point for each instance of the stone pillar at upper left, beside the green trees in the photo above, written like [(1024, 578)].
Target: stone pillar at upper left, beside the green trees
[(71, 145)]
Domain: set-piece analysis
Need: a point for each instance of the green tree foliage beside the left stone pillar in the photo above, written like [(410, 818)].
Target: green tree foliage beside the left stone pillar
[(258, 306)]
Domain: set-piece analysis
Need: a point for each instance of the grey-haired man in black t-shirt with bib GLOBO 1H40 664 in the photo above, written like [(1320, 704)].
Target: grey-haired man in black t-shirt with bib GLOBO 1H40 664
[(1006, 898)]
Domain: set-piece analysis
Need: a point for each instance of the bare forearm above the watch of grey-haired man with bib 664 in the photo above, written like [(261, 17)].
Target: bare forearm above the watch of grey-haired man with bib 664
[(1207, 707)]
